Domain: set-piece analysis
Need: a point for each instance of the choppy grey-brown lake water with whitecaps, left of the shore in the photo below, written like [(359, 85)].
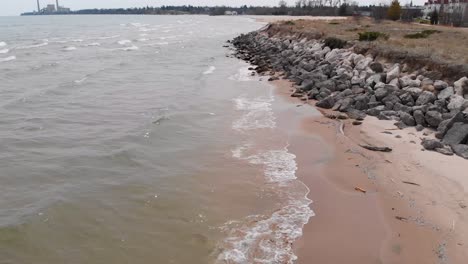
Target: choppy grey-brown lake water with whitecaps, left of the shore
[(135, 139)]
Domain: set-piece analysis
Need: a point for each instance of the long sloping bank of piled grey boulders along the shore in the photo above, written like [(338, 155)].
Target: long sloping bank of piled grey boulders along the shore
[(359, 85)]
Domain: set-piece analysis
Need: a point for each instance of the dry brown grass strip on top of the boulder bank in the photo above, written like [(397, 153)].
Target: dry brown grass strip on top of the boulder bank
[(450, 45)]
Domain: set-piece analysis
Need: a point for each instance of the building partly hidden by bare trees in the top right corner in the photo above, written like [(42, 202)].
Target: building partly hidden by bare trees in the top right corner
[(451, 12)]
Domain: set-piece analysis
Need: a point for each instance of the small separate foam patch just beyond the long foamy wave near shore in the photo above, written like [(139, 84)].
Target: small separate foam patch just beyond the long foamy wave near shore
[(258, 113)]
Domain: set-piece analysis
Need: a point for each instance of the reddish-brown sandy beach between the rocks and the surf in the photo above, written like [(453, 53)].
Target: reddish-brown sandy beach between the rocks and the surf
[(393, 221)]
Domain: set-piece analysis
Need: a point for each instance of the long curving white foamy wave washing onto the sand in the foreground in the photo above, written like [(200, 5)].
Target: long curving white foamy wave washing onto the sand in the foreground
[(269, 239)]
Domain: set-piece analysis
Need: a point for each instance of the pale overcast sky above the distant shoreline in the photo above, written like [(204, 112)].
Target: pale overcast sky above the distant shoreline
[(15, 7)]
